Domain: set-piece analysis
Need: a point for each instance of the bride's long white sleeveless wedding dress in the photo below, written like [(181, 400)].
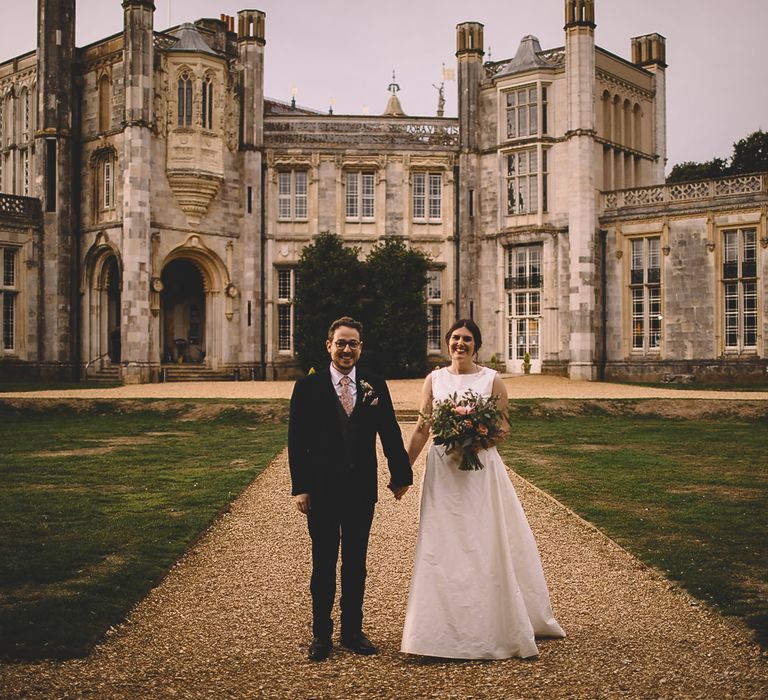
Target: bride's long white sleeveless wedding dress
[(478, 589)]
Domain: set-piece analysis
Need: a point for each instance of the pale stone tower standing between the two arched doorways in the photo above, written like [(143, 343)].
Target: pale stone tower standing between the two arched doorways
[(138, 332)]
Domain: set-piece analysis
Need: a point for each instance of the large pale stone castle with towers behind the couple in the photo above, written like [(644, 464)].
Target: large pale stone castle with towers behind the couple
[(155, 204)]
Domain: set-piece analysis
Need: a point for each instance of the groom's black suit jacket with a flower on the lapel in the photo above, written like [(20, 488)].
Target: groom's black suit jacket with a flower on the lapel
[(315, 442)]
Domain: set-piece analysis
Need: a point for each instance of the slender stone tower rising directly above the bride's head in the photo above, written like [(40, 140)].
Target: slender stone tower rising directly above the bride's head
[(469, 54)]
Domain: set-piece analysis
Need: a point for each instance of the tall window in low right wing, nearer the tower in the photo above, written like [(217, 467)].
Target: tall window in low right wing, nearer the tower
[(645, 292)]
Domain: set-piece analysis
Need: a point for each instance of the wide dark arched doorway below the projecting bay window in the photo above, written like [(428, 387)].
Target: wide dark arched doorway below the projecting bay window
[(182, 304)]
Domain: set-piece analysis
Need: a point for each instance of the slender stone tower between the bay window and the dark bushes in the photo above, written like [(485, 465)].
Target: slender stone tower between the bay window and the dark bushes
[(250, 43)]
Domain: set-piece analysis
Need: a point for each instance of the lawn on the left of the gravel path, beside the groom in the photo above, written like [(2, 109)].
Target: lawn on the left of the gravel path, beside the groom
[(96, 504)]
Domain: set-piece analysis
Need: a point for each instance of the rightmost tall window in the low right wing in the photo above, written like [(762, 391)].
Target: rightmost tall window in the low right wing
[(740, 285)]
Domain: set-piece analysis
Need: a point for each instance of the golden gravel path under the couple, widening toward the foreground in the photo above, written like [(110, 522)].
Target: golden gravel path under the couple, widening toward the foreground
[(231, 620)]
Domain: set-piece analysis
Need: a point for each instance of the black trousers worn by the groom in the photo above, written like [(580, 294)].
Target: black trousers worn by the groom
[(346, 522)]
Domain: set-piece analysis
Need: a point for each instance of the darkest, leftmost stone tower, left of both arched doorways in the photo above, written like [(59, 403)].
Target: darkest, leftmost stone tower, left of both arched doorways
[(57, 320)]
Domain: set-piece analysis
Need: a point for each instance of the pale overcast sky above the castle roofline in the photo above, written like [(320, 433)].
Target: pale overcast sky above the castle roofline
[(346, 50)]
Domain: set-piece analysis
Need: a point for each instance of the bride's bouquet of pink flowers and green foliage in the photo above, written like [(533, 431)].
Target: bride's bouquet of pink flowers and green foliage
[(469, 423)]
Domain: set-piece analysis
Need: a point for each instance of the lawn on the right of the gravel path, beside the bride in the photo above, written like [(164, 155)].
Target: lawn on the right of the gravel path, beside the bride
[(689, 496)]
